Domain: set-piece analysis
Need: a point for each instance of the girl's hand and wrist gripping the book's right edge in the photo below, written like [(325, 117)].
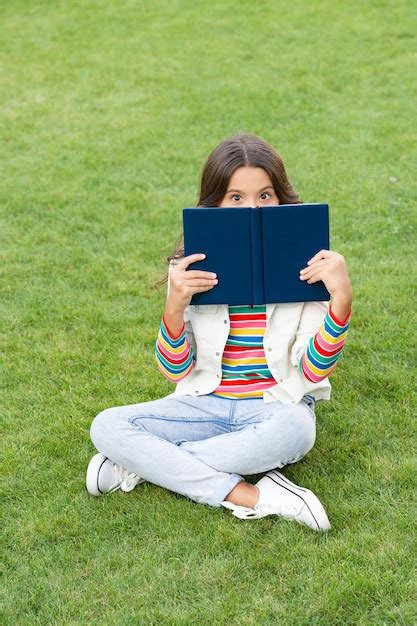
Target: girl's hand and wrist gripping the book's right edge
[(330, 267)]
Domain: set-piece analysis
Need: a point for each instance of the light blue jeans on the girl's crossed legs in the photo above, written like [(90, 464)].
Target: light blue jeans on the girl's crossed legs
[(200, 446)]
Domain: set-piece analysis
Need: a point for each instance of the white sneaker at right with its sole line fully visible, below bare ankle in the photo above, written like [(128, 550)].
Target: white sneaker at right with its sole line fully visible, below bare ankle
[(279, 496)]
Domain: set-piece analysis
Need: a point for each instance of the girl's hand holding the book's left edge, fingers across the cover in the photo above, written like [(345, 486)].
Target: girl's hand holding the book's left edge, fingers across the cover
[(184, 284)]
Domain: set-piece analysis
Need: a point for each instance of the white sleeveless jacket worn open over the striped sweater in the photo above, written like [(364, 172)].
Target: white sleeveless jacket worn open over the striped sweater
[(288, 330)]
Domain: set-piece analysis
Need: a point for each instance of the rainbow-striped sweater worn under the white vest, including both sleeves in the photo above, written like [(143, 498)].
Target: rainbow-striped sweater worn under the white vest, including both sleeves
[(245, 372)]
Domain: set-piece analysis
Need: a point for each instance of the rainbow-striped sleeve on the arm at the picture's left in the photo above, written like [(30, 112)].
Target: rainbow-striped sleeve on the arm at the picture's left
[(174, 355)]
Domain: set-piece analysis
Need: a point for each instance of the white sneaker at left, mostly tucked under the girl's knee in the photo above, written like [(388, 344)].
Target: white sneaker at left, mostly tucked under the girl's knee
[(104, 476)]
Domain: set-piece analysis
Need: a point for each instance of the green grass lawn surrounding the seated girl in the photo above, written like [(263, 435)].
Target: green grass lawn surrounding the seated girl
[(108, 111)]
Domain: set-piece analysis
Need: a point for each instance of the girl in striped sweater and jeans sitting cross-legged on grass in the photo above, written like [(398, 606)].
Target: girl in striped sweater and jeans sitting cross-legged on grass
[(247, 377)]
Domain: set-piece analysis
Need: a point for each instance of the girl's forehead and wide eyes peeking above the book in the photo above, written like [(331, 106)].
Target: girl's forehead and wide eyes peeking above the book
[(249, 187)]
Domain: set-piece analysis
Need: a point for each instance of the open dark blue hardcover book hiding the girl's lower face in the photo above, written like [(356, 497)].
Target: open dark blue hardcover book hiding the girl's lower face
[(257, 253)]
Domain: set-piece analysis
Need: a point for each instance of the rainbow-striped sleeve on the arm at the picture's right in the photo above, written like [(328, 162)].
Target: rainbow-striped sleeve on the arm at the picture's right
[(325, 348)]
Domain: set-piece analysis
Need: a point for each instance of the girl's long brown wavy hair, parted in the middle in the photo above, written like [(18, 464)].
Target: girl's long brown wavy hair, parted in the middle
[(238, 151)]
